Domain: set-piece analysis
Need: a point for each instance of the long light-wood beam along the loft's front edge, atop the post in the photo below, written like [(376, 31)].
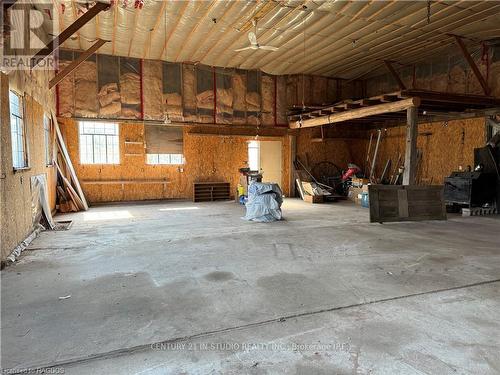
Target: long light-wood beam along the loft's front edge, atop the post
[(378, 109)]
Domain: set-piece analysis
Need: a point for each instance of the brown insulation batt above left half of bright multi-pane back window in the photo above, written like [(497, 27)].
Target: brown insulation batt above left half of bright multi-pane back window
[(86, 90)]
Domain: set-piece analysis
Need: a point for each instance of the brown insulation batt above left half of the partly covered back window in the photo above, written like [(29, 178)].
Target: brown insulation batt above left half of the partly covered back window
[(153, 90)]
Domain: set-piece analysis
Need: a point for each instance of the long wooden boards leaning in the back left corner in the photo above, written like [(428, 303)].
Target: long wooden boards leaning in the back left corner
[(69, 192)]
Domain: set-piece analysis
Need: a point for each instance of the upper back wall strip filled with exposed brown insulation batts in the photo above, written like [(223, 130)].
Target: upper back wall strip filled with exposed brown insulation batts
[(113, 87)]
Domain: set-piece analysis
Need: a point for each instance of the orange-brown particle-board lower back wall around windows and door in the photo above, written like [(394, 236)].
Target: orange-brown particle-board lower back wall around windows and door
[(207, 158)]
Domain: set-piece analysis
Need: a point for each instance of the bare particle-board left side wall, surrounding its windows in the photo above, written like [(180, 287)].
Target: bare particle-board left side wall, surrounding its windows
[(15, 186)]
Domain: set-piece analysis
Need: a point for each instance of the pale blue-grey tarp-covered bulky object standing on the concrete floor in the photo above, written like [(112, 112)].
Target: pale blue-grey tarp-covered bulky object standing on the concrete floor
[(264, 202)]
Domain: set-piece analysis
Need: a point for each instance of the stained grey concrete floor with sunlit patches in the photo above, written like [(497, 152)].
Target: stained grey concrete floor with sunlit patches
[(178, 287)]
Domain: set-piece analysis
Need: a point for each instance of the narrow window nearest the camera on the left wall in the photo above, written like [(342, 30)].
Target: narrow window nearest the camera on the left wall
[(18, 132)]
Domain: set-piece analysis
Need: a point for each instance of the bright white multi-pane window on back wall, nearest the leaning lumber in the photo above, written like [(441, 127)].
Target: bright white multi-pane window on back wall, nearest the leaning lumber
[(99, 143)]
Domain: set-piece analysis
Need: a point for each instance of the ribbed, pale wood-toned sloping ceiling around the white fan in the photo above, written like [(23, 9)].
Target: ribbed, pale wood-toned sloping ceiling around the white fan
[(344, 39)]
